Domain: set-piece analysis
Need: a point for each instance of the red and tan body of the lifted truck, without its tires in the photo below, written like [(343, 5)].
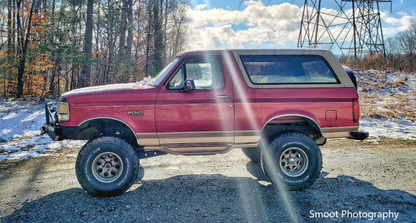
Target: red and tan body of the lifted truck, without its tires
[(208, 102)]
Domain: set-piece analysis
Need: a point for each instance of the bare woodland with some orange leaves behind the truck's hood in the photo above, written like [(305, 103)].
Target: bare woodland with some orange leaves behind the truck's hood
[(52, 46)]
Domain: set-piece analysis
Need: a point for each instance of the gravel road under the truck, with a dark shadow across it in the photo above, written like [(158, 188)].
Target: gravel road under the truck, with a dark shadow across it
[(359, 179)]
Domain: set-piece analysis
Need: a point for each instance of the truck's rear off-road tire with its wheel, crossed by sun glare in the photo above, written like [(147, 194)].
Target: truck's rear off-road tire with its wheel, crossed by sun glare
[(292, 161)]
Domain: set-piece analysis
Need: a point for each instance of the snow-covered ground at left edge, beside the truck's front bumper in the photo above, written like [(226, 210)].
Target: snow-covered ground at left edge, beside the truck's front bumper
[(20, 138)]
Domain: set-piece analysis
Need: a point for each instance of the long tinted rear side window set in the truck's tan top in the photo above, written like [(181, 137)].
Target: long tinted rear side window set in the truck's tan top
[(263, 70)]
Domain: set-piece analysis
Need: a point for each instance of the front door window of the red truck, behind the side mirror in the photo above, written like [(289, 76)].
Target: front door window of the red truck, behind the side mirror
[(206, 74)]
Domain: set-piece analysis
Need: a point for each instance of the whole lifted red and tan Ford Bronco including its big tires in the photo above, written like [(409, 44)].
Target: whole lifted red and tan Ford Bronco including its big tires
[(277, 105)]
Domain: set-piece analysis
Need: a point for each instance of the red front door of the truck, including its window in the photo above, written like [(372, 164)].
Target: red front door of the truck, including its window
[(205, 115)]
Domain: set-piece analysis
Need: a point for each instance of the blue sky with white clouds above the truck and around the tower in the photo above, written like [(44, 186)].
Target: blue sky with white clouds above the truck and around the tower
[(216, 24)]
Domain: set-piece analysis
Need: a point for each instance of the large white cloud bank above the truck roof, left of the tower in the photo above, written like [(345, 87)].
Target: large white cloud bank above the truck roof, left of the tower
[(255, 24)]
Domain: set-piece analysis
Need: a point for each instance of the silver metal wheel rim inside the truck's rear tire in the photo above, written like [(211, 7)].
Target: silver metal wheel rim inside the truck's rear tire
[(293, 162)]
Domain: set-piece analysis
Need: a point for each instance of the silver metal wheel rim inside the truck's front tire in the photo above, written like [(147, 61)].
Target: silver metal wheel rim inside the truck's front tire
[(107, 167)]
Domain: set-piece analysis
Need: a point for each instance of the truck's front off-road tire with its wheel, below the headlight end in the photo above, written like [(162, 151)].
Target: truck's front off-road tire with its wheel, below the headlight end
[(107, 166)]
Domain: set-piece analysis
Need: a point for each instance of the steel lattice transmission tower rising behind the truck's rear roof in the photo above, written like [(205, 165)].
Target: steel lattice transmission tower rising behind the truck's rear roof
[(354, 27)]
